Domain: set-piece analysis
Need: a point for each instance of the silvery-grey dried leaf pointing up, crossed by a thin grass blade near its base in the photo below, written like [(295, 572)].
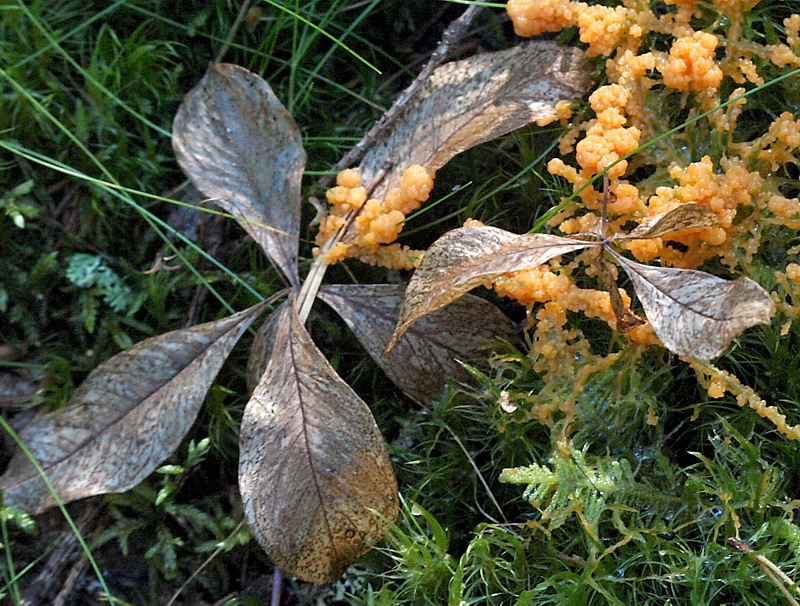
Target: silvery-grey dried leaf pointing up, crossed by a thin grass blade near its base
[(242, 148)]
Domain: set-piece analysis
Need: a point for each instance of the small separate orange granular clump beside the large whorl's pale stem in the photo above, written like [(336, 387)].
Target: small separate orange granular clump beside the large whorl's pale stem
[(372, 223)]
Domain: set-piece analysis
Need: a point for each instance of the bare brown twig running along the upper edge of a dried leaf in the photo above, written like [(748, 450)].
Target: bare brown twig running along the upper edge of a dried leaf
[(450, 37)]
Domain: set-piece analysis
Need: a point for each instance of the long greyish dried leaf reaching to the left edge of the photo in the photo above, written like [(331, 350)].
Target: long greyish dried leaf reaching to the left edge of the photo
[(129, 415)]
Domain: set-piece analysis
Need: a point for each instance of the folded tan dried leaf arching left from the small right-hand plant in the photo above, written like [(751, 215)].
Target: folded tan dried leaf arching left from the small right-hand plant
[(467, 257)]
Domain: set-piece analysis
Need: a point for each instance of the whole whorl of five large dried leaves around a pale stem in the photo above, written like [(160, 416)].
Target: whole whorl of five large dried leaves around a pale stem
[(315, 477)]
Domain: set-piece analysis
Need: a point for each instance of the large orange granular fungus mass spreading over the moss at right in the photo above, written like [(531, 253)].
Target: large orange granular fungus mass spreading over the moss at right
[(739, 184)]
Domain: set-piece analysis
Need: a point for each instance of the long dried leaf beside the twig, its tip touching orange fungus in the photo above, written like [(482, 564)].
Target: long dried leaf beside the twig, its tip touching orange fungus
[(475, 100)]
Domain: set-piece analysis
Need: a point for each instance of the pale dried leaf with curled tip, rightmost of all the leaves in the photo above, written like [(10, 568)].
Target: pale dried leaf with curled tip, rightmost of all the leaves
[(694, 313)]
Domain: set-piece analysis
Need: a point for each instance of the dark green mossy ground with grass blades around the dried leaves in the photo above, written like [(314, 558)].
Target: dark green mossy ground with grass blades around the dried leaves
[(634, 507)]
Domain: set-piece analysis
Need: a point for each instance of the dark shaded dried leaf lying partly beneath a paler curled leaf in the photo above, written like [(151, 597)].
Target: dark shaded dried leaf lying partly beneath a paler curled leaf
[(426, 356)]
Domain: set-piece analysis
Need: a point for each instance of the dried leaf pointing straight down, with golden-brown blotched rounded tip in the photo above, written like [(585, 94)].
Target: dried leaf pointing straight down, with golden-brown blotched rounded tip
[(314, 473)]
